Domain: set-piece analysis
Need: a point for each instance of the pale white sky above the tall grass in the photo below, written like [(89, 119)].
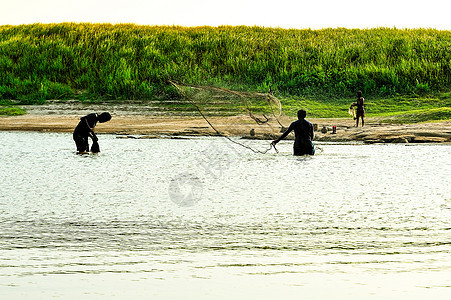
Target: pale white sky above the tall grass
[(299, 14)]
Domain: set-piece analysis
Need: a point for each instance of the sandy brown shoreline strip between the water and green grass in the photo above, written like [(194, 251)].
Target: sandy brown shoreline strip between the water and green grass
[(134, 120)]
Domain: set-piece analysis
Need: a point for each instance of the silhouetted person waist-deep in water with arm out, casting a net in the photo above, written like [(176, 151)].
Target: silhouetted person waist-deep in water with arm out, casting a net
[(303, 132)]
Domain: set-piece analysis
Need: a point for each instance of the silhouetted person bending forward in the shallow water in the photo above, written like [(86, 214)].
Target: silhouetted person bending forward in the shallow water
[(85, 129)]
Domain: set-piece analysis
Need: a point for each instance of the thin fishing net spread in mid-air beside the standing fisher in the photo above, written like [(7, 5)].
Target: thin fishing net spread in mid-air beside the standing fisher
[(232, 113)]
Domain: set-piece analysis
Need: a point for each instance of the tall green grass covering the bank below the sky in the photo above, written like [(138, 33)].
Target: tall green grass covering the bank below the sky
[(104, 61)]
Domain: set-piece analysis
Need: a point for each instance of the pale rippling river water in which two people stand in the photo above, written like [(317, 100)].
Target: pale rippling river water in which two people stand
[(203, 218)]
